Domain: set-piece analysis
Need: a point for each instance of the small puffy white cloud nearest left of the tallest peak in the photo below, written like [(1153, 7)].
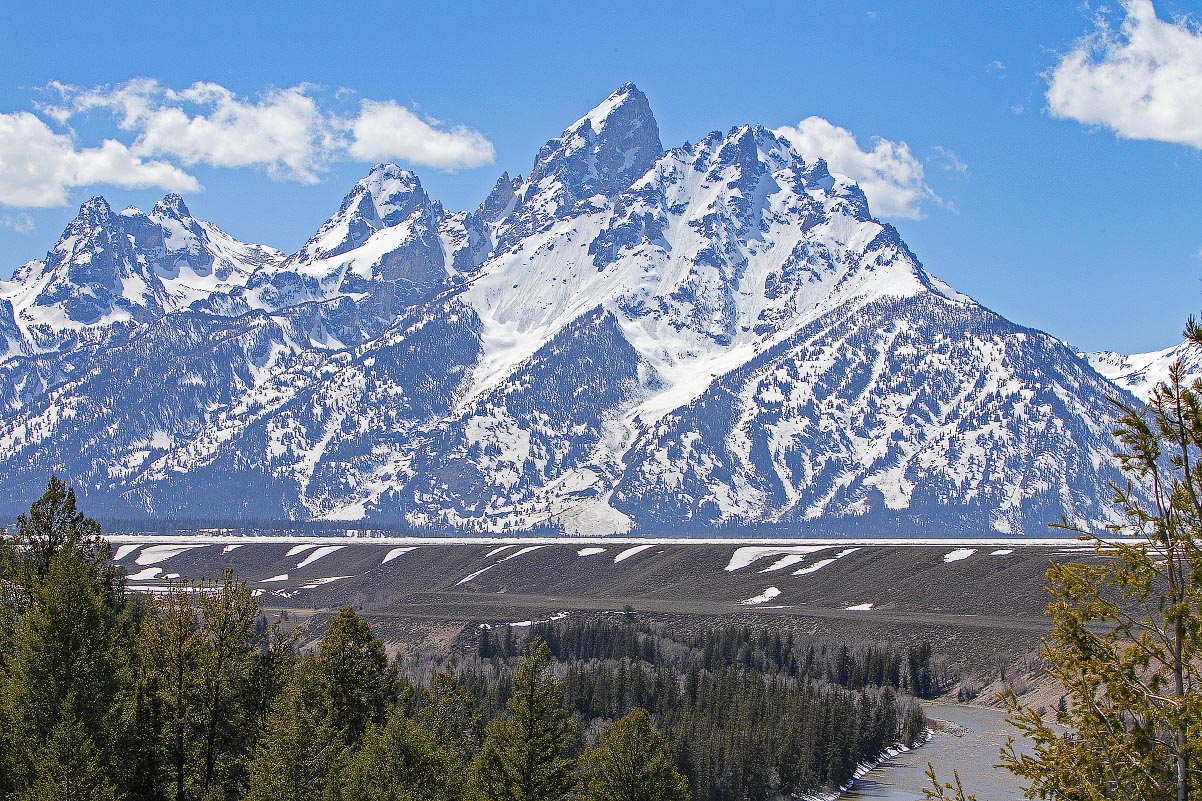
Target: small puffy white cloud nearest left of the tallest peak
[(388, 130)]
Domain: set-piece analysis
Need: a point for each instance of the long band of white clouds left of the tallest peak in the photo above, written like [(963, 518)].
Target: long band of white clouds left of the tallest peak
[(160, 133)]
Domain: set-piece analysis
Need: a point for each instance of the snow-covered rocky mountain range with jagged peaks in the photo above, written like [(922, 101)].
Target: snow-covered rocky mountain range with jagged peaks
[(630, 339)]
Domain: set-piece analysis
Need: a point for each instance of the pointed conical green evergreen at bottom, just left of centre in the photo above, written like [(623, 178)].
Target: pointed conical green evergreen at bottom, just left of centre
[(526, 755)]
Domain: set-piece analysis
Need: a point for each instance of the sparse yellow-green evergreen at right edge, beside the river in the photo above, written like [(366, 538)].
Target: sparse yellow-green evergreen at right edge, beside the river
[(1127, 640)]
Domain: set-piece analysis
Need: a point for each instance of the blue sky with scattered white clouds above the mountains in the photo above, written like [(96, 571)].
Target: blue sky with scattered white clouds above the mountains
[(1079, 212)]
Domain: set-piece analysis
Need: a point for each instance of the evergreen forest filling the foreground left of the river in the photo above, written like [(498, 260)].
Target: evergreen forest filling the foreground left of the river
[(193, 696)]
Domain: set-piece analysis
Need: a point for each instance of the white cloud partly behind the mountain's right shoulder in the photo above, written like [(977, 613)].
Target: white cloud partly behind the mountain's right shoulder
[(891, 176)]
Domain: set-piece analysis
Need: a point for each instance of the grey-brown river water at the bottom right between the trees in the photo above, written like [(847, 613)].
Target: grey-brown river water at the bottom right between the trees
[(973, 751)]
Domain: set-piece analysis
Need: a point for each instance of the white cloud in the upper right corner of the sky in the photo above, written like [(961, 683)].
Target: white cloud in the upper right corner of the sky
[(1144, 81)]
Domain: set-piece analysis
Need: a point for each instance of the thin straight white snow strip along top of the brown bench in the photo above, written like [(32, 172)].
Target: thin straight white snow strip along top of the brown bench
[(883, 542)]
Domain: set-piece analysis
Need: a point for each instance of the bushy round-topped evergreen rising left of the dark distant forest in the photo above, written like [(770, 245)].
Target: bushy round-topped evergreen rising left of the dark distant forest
[(354, 667)]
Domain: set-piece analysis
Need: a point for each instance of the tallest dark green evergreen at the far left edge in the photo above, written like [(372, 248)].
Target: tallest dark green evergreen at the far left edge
[(63, 658)]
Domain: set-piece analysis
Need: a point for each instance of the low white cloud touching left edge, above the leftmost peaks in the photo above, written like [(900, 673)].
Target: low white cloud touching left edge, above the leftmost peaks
[(39, 167)]
